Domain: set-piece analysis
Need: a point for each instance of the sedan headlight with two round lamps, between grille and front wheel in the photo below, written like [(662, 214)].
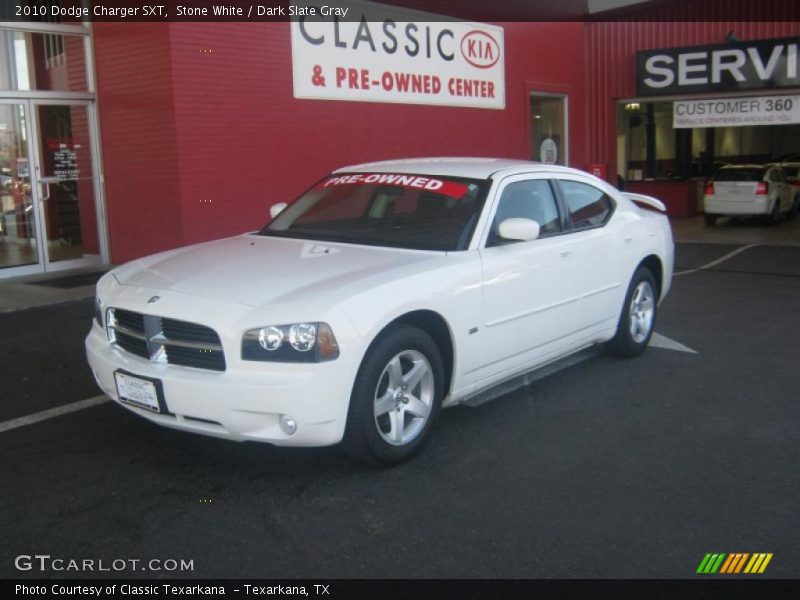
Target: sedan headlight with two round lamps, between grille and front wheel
[(296, 342)]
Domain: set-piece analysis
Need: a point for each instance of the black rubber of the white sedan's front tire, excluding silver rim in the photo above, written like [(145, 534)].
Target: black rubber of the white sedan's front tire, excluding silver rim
[(362, 440)]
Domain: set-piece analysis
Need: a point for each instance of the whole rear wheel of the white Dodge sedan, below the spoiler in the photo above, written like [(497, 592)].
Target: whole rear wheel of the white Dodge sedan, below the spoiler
[(637, 318)]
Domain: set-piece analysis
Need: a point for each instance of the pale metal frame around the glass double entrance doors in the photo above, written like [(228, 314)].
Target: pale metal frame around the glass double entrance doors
[(31, 101)]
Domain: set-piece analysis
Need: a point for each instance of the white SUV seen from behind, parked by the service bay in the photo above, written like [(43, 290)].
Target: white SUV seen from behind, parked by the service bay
[(749, 190)]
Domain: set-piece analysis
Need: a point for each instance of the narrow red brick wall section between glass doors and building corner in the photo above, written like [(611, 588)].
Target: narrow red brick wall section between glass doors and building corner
[(137, 131)]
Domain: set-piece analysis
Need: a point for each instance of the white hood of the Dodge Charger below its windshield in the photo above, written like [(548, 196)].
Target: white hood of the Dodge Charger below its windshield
[(256, 270)]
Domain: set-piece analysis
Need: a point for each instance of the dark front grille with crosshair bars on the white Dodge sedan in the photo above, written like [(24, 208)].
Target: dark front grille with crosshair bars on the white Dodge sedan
[(166, 341)]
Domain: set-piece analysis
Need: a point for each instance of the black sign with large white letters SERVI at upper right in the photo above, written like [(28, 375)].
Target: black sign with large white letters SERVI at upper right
[(760, 64)]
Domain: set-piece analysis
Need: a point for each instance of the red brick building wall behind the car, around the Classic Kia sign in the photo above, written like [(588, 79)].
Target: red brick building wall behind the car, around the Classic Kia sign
[(201, 133)]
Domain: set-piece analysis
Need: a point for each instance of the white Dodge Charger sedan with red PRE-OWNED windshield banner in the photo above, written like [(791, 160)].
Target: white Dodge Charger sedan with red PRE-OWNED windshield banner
[(385, 292)]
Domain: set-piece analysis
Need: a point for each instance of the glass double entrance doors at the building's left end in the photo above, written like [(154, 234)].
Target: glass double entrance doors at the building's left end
[(48, 187)]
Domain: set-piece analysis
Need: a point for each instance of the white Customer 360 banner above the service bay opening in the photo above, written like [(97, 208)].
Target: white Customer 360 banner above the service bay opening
[(736, 112)]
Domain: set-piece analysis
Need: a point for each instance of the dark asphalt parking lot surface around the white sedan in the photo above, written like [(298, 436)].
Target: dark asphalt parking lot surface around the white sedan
[(610, 468)]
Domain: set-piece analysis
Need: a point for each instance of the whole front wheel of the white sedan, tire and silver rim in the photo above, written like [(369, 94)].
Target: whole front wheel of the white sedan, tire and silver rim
[(388, 423)]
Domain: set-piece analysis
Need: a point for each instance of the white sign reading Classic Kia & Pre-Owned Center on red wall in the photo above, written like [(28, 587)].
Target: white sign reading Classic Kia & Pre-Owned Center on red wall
[(373, 53)]
